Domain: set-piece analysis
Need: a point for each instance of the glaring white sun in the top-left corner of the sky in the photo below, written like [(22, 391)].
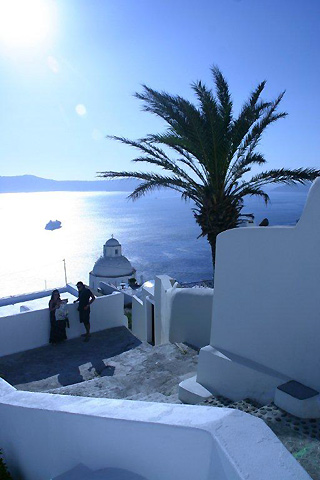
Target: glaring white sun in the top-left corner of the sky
[(25, 23)]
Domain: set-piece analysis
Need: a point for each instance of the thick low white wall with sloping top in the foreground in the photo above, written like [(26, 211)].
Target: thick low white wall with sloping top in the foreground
[(43, 436)]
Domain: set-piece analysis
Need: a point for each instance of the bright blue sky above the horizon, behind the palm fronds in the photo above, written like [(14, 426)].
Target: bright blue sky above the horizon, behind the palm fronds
[(69, 69)]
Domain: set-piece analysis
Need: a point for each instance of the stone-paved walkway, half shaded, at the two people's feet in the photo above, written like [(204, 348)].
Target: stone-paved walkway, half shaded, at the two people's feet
[(113, 364)]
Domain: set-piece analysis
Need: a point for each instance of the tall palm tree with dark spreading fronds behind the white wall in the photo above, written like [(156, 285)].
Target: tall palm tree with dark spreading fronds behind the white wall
[(213, 153)]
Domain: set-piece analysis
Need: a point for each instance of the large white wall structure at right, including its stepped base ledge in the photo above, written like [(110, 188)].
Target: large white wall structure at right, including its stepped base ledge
[(265, 326)]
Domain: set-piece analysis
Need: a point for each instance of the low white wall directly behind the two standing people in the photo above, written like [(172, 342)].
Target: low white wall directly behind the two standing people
[(31, 329)]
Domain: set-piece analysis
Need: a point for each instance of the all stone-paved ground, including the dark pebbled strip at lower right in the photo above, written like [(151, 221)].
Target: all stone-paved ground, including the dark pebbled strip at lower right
[(115, 364)]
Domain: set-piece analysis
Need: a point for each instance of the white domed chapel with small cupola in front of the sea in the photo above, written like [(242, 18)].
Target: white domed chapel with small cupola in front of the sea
[(111, 267)]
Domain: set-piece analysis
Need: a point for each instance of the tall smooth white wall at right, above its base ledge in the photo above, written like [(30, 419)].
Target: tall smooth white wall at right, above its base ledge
[(266, 306)]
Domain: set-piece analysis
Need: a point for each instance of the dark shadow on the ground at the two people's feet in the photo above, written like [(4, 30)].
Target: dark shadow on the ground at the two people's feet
[(70, 362)]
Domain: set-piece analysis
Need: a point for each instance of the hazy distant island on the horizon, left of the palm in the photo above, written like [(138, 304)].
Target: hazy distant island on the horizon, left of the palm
[(31, 183)]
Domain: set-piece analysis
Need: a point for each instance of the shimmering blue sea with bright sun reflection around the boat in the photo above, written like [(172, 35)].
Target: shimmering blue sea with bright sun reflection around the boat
[(158, 235)]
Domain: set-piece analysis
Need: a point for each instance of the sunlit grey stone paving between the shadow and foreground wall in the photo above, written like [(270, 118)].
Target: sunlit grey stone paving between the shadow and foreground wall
[(143, 373)]
